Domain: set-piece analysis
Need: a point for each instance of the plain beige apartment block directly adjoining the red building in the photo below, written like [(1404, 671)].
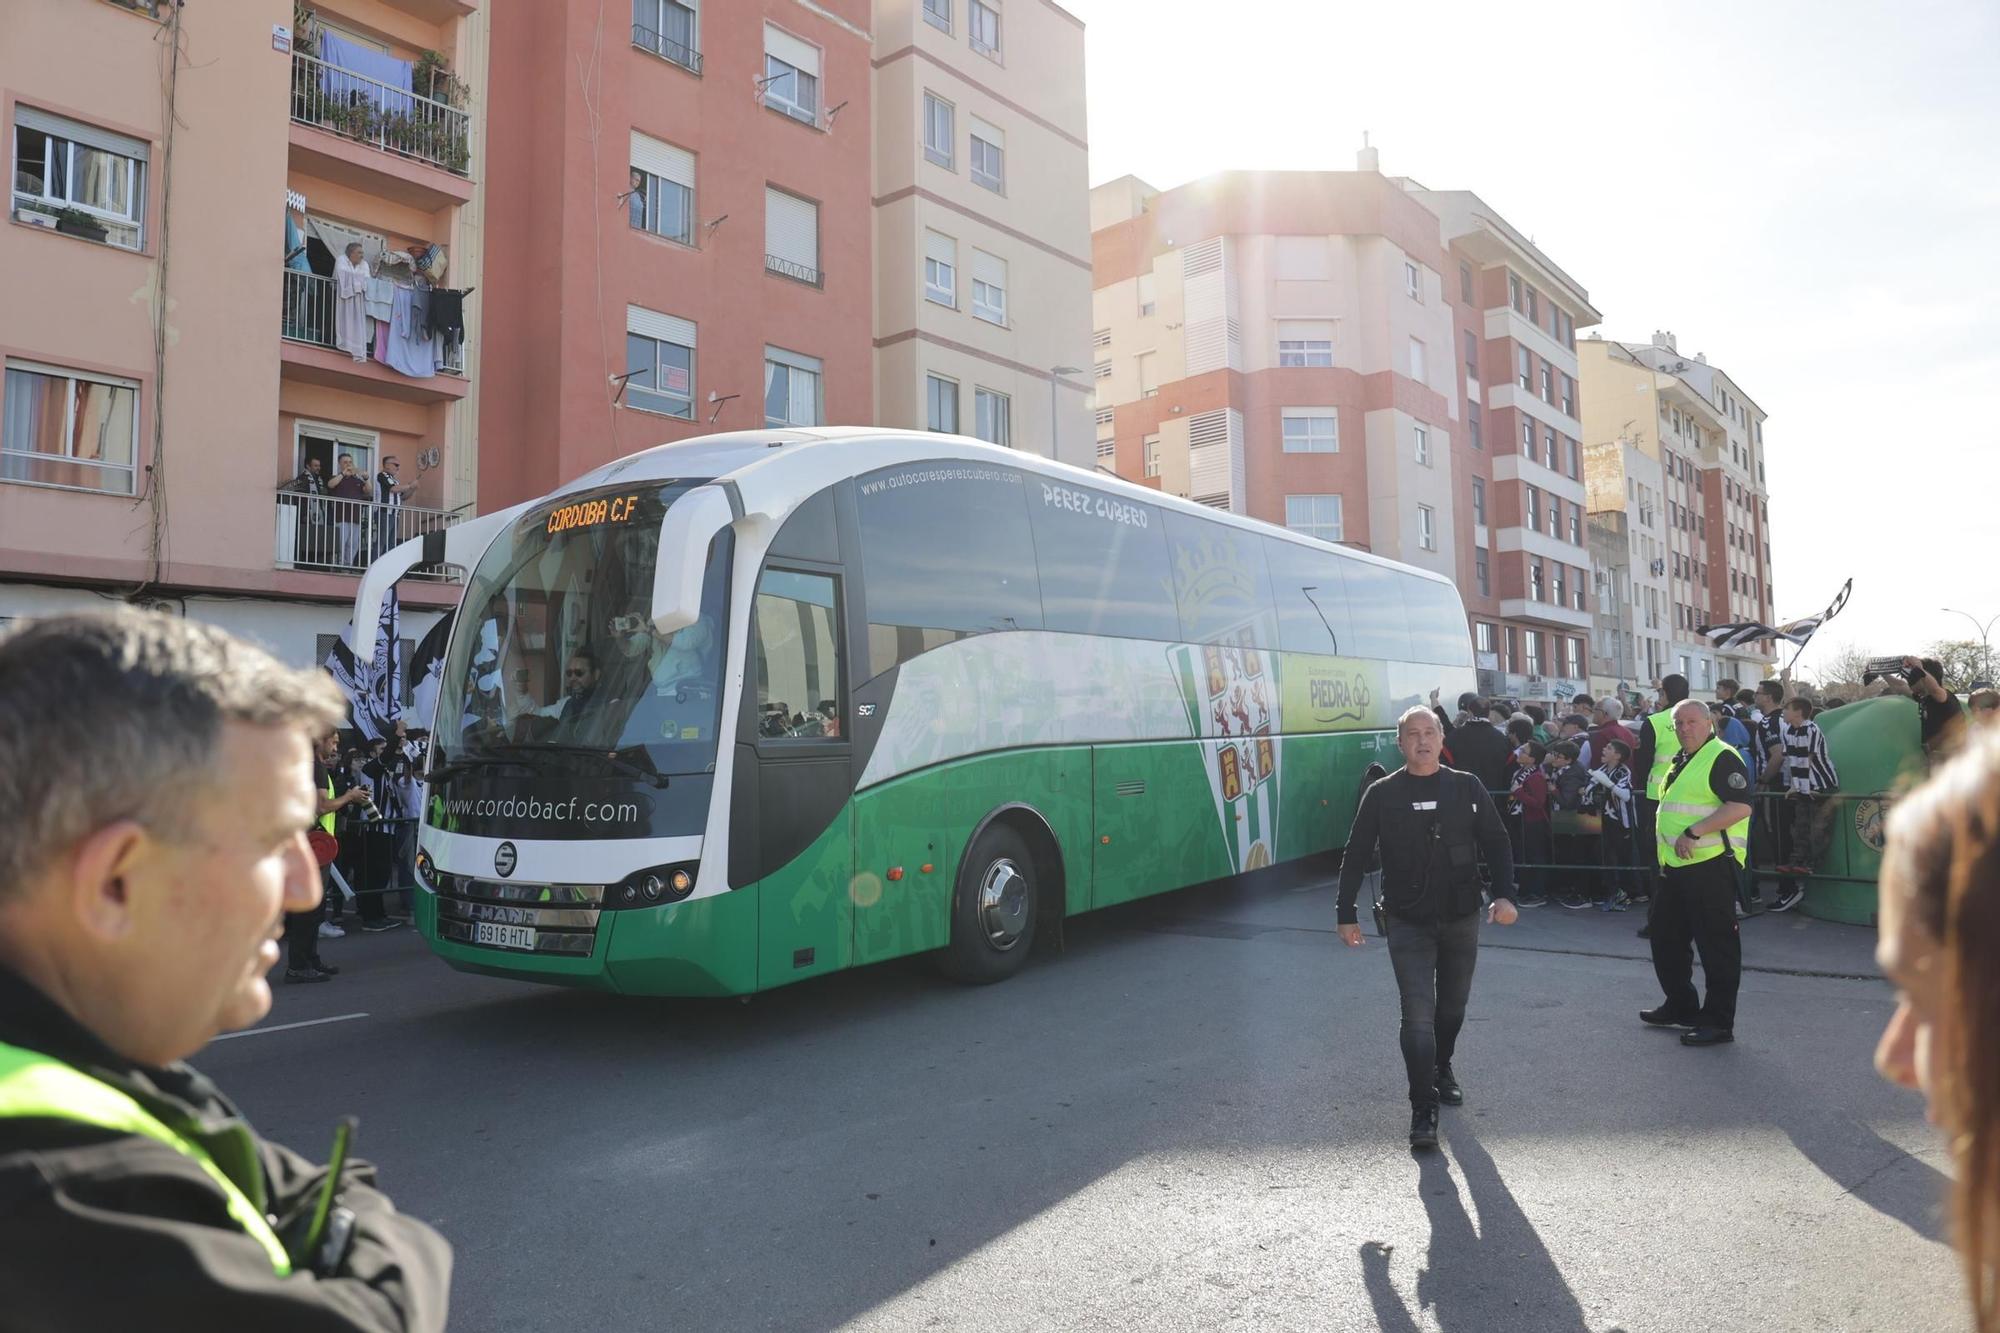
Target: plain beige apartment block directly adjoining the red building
[(983, 223)]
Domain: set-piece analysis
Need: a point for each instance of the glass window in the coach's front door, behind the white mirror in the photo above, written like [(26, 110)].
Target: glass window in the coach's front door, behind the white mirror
[(799, 684)]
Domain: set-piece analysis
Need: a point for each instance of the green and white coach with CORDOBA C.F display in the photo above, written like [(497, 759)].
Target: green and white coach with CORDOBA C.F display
[(757, 708)]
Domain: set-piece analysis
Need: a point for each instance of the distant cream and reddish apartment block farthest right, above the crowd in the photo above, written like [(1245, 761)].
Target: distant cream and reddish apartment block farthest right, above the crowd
[(1707, 437)]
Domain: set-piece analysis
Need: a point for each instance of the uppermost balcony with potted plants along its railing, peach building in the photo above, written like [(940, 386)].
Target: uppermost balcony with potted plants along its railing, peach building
[(377, 137)]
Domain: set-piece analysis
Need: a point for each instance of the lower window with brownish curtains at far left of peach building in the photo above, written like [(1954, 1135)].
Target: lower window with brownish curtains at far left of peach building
[(69, 429)]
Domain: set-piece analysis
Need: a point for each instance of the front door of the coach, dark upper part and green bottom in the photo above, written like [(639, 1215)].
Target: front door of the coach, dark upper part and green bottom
[(795, 764)]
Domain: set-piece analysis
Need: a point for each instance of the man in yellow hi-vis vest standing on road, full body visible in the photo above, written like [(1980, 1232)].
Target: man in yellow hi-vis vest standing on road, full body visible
[(1703, 840)]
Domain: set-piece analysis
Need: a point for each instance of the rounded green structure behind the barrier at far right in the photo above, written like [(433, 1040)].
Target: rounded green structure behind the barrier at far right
[(1877, 750)]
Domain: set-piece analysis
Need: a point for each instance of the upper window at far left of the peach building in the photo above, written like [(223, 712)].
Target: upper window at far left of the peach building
[(65, 165)]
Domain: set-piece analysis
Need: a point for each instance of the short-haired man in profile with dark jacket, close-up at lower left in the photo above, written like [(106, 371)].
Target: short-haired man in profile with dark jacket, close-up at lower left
[(157, 778)]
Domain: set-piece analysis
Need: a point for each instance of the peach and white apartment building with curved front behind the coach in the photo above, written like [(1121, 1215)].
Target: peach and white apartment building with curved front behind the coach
[(1365, 361)]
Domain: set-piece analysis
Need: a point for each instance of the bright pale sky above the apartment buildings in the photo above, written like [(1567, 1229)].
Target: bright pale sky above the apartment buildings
[(1807, 193)]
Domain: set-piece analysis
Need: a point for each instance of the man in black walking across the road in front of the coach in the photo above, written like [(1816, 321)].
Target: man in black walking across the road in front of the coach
[(1431, 826)]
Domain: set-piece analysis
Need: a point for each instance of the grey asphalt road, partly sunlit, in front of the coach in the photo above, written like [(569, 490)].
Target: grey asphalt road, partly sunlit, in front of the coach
[(1191, 1120)]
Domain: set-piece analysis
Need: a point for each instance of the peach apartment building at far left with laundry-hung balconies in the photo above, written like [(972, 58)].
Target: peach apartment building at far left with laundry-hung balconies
[(173, 331)]
